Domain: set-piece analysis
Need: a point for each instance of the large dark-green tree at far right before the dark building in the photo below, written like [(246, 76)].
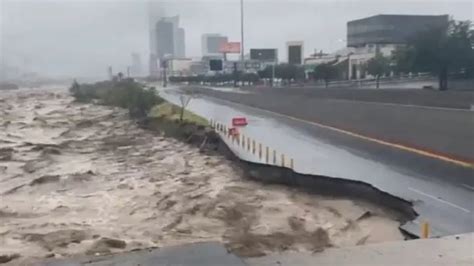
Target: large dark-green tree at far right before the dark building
[(440, 51)]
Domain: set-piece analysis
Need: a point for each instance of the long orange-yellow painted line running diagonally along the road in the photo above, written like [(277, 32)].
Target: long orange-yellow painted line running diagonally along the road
[(466, 164)]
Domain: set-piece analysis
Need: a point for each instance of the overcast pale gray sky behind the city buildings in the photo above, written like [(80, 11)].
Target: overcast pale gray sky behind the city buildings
[(80, 38)]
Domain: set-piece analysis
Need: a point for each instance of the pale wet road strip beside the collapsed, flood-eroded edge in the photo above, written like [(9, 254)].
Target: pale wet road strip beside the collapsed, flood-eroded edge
[(442, 192)]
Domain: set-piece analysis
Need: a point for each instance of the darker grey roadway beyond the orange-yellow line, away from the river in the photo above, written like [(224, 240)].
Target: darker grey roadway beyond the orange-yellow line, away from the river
[(438, 132)]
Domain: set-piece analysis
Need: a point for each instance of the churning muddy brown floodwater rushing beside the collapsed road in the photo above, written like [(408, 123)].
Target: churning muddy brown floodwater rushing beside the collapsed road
[(84, 179)]
